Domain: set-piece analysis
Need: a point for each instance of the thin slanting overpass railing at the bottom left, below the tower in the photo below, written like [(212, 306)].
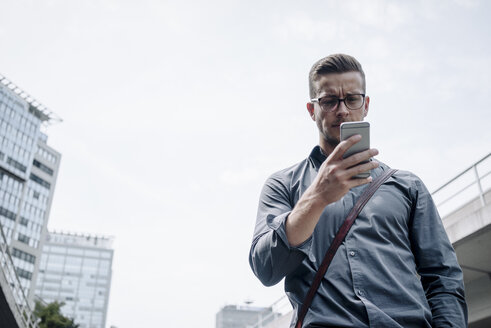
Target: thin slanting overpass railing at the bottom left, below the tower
[(13, 287)]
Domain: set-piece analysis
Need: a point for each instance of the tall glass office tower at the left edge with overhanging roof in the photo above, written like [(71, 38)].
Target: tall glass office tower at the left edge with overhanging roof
[(28, 171)]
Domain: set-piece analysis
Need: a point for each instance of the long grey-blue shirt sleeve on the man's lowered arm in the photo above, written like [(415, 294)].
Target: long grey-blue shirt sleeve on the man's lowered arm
[(441, 275)]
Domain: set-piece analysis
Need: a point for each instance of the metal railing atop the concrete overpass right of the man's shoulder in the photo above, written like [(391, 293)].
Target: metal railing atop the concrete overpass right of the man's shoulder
[(473, 182)]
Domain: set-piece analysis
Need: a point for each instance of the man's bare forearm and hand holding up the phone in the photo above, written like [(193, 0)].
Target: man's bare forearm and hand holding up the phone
[(332, 182)]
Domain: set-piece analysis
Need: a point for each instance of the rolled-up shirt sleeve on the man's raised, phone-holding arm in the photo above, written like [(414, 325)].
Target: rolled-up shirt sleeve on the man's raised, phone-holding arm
[(271, 257)]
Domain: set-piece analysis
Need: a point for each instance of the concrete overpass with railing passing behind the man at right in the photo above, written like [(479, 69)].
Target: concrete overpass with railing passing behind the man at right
[(464, 204)]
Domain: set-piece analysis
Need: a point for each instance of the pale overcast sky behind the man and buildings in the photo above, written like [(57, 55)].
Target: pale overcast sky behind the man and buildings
[(175, 112)]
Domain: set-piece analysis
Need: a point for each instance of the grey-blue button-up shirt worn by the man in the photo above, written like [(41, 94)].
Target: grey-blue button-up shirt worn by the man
[(396, 267)]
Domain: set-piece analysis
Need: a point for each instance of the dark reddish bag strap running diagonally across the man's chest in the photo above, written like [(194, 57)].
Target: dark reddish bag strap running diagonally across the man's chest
[(342, 232)]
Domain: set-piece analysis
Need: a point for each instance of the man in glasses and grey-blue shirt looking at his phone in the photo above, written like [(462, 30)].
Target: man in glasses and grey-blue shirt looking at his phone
[(396, 267)]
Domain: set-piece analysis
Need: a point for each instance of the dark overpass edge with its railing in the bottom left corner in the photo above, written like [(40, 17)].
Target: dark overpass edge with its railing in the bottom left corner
[(14, 308)]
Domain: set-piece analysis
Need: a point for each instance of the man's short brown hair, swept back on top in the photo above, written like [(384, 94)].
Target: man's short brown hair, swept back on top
[(336, 63)]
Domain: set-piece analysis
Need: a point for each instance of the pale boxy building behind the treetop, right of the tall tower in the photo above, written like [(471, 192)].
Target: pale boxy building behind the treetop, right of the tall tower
[(76, 269)]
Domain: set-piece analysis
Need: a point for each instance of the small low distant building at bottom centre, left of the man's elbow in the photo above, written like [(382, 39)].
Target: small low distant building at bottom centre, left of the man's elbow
[(243, 316)]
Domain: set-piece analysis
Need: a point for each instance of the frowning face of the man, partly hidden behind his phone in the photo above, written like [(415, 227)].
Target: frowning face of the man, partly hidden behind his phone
[(337, 85)]
